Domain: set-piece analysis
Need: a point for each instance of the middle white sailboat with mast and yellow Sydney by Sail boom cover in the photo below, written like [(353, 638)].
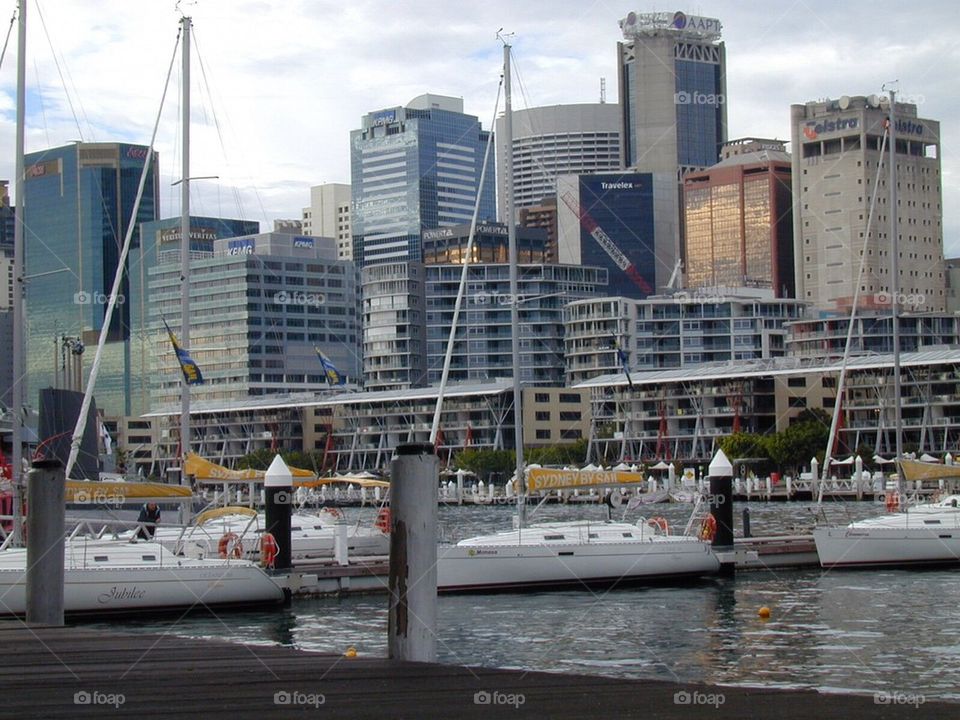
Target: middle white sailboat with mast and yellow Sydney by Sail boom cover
[(563, 554)]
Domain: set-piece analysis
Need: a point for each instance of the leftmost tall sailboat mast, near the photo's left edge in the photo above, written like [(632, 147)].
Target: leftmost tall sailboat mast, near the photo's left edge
[(17, 391)]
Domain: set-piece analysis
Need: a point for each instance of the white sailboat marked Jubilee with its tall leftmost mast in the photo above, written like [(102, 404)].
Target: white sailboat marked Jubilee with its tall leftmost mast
[(104, 576)]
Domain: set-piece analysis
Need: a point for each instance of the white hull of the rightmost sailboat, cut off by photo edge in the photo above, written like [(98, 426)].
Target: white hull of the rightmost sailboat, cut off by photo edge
[(839, 547)]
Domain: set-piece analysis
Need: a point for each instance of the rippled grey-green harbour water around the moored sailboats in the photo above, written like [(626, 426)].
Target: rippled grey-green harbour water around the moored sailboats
[(888, 631)]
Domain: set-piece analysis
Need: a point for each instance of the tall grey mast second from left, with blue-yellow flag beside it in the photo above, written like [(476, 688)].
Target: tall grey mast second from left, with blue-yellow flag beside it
[(185, 247)]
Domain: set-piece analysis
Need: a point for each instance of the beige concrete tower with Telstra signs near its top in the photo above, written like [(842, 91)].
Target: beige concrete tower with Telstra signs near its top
[(836, 151)]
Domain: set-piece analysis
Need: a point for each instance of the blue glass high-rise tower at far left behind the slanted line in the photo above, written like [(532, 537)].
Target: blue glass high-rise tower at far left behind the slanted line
[(78, 206)]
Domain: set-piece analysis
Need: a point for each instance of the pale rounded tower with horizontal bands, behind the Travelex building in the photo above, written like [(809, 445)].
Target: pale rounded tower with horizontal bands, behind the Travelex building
[(553, 141)]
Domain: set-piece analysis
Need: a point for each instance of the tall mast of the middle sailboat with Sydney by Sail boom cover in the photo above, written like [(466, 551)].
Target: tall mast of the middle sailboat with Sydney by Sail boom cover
[(514, 284)]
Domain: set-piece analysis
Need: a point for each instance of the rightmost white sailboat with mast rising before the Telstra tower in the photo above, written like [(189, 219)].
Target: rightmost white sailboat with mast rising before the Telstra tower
[(927, 534)]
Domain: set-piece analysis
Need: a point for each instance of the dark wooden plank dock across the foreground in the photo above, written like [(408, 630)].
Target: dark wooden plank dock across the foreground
[(76, 673)]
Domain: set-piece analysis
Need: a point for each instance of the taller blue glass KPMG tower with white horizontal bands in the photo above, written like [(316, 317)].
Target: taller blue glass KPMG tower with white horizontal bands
[(415, 168)]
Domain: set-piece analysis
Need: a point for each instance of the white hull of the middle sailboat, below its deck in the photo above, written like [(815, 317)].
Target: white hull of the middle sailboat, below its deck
[(475, 568)]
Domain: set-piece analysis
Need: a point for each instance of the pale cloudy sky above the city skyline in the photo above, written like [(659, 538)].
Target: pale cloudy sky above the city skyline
[(279, 84)]
